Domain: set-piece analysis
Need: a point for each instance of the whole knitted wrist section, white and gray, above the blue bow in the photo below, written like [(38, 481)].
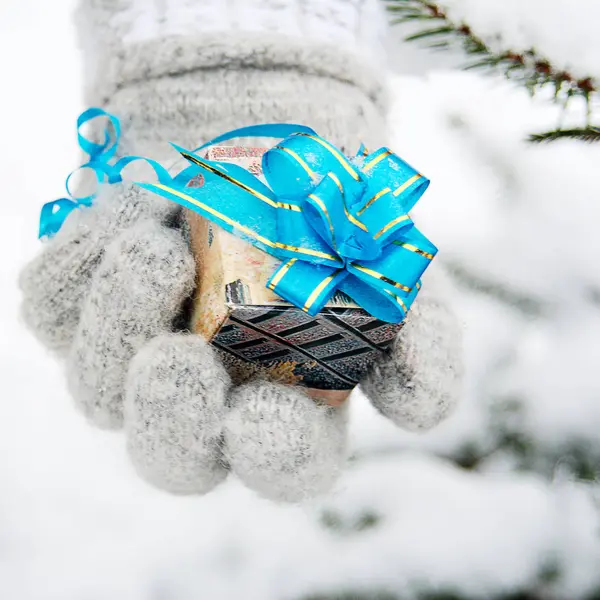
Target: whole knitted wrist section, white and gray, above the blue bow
[(186, 71)]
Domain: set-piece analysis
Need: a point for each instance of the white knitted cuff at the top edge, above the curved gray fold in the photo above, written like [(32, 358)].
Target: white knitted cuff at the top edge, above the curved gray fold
[(125, 41)]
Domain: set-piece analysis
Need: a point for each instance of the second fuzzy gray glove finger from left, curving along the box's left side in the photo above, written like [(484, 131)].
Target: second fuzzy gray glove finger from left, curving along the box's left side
[(135, 294)]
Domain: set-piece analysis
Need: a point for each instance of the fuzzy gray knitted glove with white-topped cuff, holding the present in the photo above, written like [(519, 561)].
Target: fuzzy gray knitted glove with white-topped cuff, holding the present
[(104, 293)]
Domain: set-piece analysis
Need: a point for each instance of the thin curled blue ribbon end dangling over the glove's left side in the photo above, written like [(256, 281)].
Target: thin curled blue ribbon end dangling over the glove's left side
[(53, 214)]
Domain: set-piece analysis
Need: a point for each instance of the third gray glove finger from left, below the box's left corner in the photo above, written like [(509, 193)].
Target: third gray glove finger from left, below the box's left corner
[(174, 414)]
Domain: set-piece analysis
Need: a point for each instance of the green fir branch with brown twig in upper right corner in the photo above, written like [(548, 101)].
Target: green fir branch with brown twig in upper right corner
[(528, 68)]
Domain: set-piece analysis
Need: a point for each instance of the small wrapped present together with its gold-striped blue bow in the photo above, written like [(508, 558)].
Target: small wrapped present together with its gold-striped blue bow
[(307, 261)]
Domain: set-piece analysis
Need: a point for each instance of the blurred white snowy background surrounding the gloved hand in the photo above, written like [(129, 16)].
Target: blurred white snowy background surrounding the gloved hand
[(519, 229)]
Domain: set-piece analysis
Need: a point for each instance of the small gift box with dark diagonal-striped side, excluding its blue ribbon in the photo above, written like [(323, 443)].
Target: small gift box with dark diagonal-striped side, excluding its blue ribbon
[(254, 331)]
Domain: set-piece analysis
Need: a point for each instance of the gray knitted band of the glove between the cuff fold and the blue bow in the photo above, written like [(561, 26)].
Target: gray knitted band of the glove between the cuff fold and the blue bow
[(195, 107)]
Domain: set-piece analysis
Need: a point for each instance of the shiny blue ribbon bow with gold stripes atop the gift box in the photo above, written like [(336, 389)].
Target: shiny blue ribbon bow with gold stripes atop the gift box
[(335, 223)]
